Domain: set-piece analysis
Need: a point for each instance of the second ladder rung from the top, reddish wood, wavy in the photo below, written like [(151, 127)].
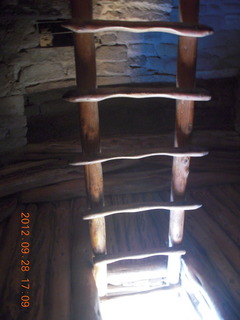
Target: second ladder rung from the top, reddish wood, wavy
[(100, 94)]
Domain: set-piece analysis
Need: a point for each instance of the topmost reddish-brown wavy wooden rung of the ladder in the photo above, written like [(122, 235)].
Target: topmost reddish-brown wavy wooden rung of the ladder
[(177, 28)]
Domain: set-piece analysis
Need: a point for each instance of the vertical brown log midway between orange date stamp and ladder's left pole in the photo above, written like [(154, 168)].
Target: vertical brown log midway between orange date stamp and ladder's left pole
[(60, 287)]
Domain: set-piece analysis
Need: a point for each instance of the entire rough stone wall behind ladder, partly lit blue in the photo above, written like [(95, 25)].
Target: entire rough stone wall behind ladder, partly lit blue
[(26, 69)]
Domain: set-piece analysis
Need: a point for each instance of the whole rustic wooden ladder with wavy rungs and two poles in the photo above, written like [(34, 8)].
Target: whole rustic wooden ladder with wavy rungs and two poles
[(88, 95)]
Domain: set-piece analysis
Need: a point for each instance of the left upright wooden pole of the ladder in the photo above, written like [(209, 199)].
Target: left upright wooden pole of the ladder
[(90, 133)]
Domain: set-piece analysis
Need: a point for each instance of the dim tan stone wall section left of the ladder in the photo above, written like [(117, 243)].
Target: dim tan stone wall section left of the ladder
[(23, 65)]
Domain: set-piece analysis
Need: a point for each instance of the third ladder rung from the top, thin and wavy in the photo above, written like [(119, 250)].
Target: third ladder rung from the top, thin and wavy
[(171, 152)]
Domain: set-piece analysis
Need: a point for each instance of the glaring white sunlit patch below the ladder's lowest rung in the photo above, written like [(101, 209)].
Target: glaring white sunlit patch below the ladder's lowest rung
[(185, 302)]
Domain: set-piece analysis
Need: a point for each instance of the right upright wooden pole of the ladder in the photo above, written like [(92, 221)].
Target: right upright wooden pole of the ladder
[(186, 71)]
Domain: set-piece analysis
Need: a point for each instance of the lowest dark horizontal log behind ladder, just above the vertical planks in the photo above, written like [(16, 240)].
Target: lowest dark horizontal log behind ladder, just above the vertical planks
[(130, 183)]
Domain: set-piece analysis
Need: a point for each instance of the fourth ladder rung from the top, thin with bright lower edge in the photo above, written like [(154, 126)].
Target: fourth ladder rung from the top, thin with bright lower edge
[(140, 207)]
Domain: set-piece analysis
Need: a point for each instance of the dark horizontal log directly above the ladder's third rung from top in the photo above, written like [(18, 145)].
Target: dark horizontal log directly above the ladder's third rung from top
[(209, 139)]
